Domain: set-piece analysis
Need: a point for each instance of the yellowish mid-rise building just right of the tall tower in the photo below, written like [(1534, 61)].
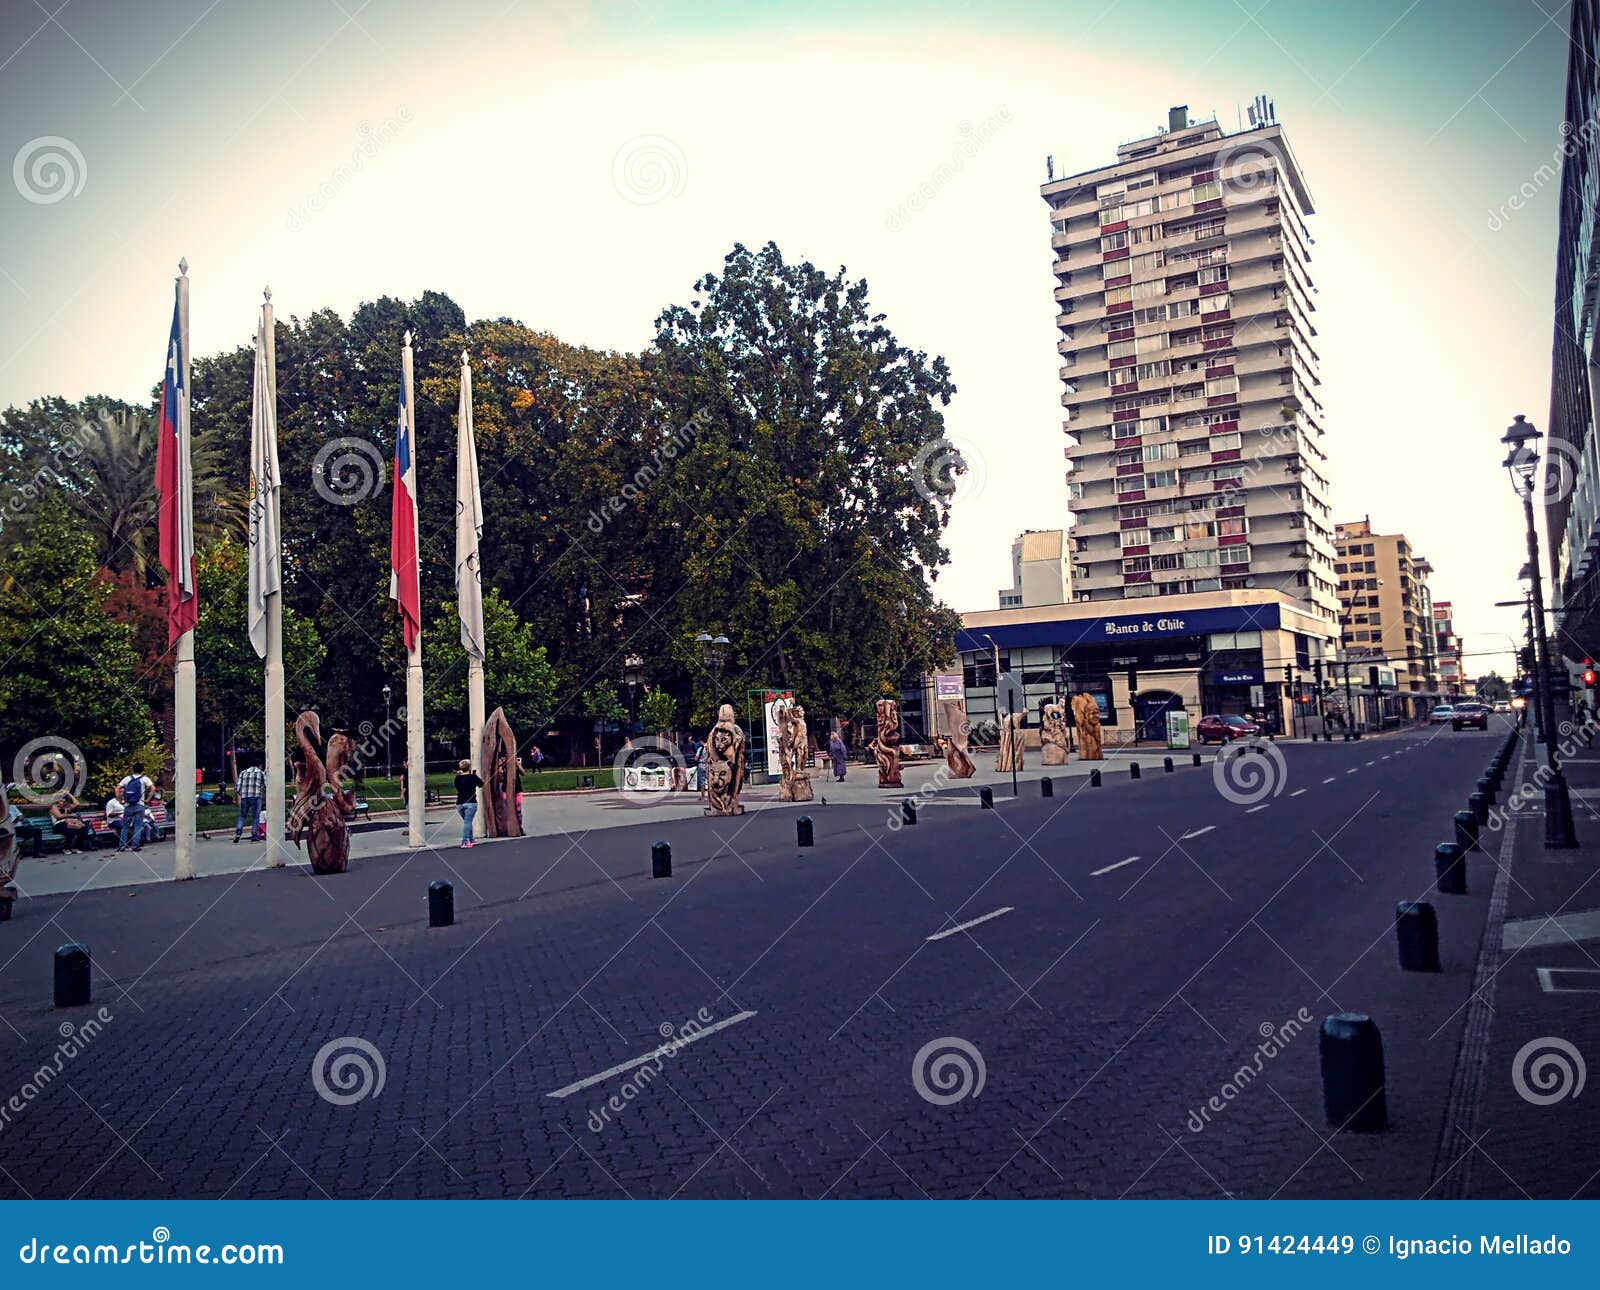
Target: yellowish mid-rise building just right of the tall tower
[(1386, 614)]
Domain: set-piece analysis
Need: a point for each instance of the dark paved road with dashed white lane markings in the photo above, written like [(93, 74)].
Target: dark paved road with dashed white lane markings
[(1154, 937)]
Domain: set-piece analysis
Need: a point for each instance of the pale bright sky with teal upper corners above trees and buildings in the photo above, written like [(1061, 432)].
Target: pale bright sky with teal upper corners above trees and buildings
[(580, 166)]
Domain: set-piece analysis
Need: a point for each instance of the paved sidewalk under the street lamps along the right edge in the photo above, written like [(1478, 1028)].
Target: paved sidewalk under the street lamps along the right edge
[(1526, 1118)]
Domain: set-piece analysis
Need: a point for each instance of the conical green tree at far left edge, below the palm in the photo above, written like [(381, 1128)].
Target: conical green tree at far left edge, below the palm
[(68, 670)]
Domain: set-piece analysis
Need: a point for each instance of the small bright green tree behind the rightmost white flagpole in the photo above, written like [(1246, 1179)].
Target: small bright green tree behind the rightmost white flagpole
[(518, 673)]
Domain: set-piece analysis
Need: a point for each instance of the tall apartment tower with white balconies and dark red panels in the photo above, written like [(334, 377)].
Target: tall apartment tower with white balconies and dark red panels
[(1194, 431)]
